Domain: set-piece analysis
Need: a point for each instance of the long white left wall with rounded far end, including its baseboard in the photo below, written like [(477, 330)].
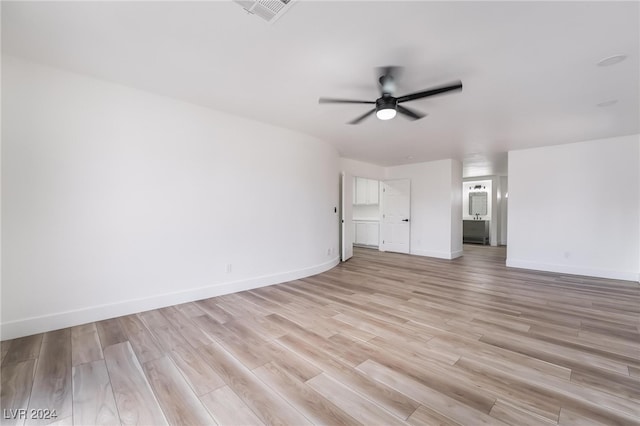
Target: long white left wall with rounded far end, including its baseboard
[(115, 201)]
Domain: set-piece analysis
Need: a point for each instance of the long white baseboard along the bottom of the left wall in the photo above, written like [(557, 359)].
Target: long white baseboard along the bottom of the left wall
[(41, 324)]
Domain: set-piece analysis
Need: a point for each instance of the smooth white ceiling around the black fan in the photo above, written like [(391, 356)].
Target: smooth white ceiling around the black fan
[(528, 68)]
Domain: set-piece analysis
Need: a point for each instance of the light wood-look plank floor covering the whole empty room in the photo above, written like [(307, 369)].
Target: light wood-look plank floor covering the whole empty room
[(381, 339)]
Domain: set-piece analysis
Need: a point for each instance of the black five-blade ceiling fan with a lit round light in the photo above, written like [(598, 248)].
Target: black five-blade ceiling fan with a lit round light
[(387, 105)]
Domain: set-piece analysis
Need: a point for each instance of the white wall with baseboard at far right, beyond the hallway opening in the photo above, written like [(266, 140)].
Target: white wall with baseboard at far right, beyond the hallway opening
[(574, 208)]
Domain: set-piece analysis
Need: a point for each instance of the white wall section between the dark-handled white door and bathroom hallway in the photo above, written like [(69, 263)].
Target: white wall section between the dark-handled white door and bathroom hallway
[(436, 206)]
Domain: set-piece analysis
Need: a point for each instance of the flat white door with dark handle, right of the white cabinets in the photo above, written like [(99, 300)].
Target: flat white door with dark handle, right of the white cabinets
[(396, 215)]
